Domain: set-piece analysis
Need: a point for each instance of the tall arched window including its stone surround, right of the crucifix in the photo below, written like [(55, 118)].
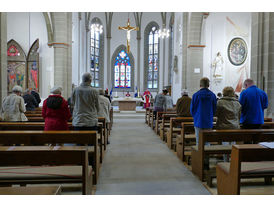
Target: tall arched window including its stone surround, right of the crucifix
[(152, 56)]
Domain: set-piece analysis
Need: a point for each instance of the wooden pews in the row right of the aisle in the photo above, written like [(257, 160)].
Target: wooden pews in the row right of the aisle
[(179, 135)]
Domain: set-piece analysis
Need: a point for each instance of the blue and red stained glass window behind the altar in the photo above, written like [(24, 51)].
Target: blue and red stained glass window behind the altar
[(122, 71)]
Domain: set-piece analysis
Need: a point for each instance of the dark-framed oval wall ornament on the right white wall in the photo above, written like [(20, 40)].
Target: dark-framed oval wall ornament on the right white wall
[(237, 51)]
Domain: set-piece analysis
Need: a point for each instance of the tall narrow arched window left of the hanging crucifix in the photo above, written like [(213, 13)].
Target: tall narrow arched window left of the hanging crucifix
[(96, 52)]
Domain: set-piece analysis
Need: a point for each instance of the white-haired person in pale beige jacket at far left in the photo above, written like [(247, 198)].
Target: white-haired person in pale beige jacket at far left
[(13, 106)]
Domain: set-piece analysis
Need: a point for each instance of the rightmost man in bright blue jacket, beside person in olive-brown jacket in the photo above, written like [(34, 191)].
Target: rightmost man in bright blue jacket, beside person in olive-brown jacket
[(253, 101)]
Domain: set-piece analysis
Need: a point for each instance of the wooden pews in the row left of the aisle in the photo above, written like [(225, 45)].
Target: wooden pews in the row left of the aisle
[(30, 155)]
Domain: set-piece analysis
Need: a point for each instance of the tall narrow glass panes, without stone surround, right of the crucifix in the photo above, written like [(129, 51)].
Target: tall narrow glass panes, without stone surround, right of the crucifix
[(153, 61)]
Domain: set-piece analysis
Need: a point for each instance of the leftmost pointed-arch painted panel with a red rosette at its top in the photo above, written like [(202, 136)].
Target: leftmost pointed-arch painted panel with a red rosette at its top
[(16, 67)]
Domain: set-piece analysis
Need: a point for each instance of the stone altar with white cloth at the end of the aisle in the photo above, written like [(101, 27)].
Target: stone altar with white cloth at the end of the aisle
[(127, 103)]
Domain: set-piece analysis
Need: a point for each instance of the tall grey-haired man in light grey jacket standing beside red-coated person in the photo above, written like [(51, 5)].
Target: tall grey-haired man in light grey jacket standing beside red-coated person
[(86, 105)]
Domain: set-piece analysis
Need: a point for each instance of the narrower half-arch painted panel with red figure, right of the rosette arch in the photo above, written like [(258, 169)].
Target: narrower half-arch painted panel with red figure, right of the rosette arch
[(33, 66)]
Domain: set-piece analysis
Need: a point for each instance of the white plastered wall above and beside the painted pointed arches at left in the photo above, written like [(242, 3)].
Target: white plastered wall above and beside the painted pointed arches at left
[(25, 28)]
